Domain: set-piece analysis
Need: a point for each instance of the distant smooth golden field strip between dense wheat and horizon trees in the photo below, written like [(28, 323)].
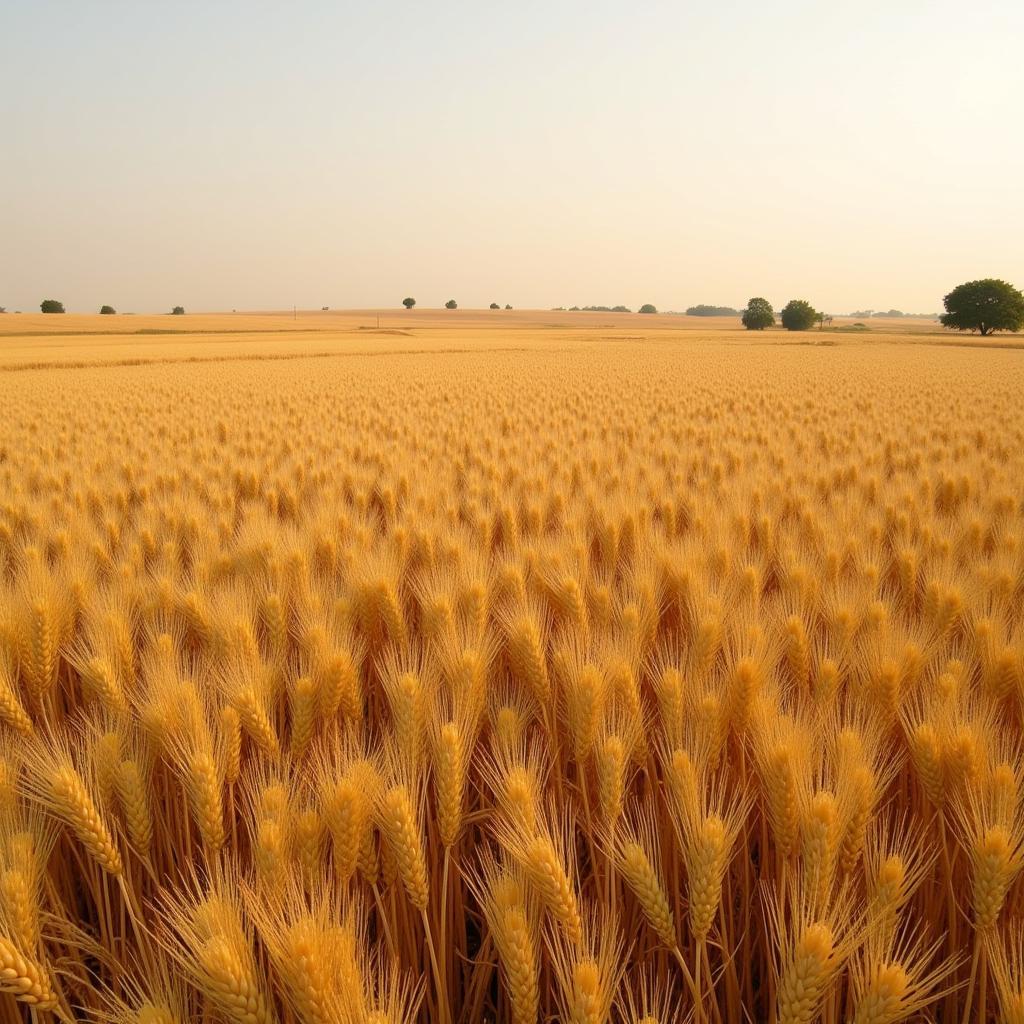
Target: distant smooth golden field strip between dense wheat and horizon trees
[(28, 339)]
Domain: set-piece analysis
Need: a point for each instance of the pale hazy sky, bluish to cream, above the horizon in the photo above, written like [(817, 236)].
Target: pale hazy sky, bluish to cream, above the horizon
[(225, 155)]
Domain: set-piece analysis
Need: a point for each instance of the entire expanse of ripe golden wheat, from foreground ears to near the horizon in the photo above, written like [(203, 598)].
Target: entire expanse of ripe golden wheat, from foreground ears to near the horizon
[(561, 674)]
